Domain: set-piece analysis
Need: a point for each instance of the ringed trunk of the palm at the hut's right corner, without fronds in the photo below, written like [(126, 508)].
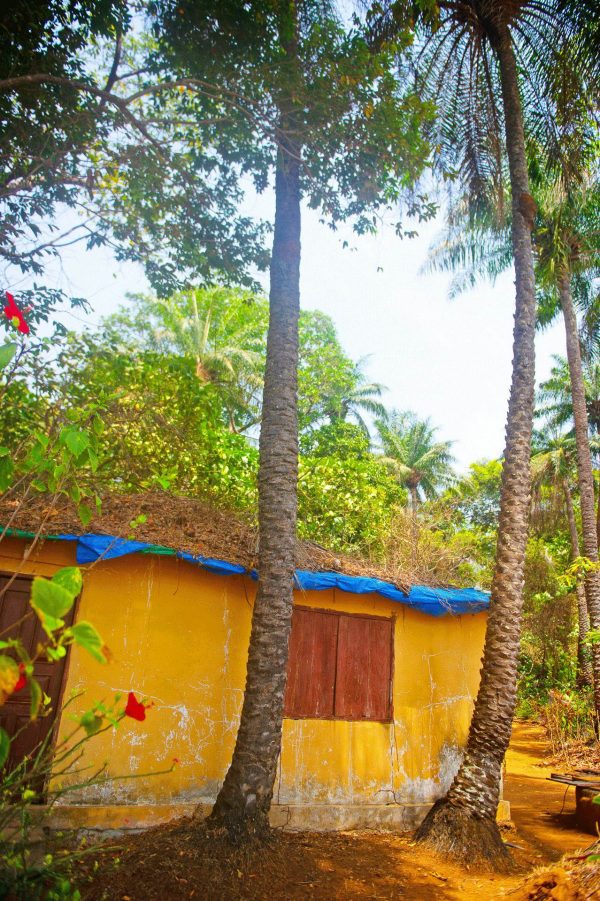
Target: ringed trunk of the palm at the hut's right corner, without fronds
[(463, 824)]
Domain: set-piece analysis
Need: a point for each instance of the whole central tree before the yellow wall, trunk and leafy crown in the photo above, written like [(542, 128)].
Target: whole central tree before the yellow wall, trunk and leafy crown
[(288, 84)]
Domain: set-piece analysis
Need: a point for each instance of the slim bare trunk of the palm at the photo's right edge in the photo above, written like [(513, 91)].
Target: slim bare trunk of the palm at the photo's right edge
[(584, 470)]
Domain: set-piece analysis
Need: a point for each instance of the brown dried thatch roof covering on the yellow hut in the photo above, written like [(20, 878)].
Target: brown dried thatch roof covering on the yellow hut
[(183, 524)]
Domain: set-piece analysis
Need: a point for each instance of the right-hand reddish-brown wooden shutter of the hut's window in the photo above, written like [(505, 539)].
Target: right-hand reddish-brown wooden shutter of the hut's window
[(363, 681)]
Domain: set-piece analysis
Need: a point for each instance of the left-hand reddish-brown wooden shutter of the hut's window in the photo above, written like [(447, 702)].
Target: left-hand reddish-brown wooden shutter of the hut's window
[(311, 668)]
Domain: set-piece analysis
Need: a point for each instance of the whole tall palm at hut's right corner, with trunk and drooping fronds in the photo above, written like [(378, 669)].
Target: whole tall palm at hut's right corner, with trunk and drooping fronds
[(479, 58)]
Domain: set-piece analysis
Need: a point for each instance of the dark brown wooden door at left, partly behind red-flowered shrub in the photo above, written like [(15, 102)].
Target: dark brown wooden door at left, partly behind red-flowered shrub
[(17, 620)]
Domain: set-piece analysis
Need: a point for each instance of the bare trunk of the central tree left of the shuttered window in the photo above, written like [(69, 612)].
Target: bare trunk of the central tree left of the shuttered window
[(243, 803)]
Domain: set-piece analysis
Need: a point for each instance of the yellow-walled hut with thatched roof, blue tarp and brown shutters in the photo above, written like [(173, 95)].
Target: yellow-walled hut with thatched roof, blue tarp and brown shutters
[(381, 682)]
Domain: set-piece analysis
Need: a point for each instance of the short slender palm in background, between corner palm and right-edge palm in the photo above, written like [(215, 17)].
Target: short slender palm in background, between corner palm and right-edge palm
[(552, 464)]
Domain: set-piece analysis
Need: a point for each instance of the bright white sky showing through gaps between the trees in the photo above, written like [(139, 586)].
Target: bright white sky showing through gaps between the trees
[(448, 360)]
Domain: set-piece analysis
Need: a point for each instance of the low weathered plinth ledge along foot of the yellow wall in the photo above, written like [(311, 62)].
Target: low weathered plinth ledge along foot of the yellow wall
[(292, 817)]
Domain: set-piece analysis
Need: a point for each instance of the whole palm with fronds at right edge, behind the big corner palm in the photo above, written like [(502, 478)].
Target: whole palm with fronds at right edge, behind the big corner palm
[(568, 258)]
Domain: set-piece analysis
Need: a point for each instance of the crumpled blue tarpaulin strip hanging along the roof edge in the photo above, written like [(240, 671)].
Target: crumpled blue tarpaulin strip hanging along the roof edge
[(434, 601)]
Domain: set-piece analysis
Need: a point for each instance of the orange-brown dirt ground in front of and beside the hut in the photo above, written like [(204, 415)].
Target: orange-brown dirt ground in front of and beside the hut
[(170, 863)]
